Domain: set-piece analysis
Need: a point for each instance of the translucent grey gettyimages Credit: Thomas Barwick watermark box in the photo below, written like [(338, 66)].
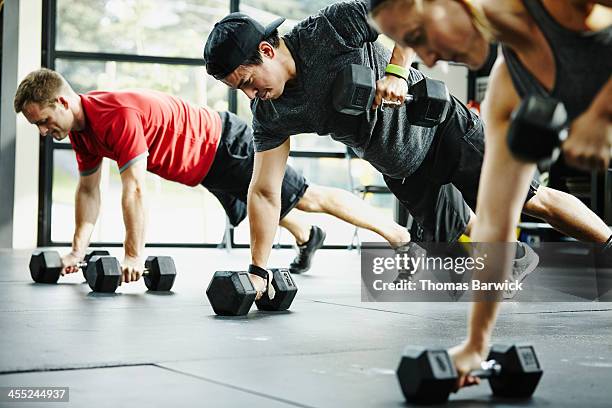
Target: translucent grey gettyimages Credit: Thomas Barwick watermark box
[(484, 271)]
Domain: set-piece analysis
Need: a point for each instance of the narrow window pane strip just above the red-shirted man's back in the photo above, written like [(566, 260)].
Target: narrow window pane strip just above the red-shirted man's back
[(188, 82)]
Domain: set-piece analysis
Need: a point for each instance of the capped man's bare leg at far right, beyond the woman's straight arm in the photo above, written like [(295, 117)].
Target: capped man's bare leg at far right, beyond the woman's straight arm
[(567, 214)]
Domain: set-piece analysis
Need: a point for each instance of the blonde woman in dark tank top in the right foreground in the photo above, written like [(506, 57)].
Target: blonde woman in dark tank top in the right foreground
[(541, 40)]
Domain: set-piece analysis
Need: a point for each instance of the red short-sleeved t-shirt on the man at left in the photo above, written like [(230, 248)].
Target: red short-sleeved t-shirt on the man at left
[(178, 140)]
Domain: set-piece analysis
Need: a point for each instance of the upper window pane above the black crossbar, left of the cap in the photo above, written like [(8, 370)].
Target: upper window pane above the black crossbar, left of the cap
[(176, 28)]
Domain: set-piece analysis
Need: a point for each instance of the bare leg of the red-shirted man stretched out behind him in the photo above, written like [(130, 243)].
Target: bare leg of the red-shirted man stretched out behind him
[(348, 207)]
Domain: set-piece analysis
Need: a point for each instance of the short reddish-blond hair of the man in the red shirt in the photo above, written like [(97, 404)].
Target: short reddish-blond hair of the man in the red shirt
[(41, 86)]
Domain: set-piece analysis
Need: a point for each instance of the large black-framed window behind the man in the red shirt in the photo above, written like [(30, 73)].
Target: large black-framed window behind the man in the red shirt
[(118, 44)]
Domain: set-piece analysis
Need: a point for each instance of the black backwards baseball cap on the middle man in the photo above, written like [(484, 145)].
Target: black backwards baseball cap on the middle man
[(229, 45)]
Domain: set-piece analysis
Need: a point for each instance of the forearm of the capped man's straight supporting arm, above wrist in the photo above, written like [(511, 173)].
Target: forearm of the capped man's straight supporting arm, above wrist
[(264, 212)]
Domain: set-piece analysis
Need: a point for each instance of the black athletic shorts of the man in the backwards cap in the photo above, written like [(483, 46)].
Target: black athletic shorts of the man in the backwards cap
[(441, 192)]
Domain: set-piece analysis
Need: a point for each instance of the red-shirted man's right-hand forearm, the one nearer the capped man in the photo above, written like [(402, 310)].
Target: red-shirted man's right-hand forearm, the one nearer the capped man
[(134, 218)]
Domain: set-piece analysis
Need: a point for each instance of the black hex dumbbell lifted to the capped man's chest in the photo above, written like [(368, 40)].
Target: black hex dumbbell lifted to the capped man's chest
[(354, 90)]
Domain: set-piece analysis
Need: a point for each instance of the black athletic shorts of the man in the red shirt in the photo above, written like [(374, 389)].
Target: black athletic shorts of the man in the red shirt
[(230, 173)]
